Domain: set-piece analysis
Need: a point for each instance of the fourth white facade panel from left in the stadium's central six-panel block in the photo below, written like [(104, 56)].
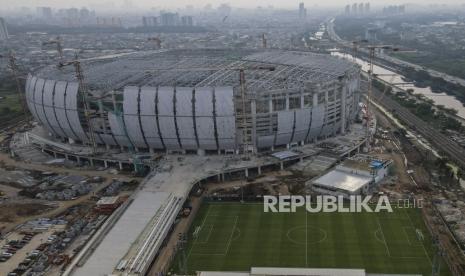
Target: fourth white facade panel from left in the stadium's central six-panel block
[(184, 117)]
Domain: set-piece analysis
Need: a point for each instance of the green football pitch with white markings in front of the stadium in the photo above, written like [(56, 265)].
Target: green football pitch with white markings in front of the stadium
[(236, 237)]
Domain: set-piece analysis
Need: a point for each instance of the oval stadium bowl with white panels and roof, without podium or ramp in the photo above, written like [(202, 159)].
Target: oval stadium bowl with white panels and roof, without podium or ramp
[(201, 101)]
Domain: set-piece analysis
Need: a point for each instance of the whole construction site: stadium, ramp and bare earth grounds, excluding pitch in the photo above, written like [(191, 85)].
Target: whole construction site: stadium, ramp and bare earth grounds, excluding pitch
[(121, 151)]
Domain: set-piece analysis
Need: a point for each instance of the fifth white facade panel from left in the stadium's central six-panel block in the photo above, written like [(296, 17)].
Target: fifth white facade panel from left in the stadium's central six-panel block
[(204, 118)]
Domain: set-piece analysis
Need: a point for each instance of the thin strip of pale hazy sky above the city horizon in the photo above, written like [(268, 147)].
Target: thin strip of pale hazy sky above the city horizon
[(201, 3)]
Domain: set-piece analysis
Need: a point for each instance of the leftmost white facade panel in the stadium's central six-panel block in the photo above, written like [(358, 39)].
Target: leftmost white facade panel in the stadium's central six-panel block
[(131, 116)]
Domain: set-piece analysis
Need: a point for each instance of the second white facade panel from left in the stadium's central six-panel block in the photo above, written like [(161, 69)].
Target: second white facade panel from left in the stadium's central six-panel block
[(149, 118)]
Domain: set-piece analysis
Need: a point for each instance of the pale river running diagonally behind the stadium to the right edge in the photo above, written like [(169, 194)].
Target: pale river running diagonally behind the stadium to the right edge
[(394, 78)]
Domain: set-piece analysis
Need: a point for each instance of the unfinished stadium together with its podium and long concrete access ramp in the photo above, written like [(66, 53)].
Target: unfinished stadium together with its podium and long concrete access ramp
[(182, 105)]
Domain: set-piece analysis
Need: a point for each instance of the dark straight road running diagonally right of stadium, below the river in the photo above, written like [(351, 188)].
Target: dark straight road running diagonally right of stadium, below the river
[(439, 140)]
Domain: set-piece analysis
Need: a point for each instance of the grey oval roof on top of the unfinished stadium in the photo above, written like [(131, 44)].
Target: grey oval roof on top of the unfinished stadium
[(204, 67)]
